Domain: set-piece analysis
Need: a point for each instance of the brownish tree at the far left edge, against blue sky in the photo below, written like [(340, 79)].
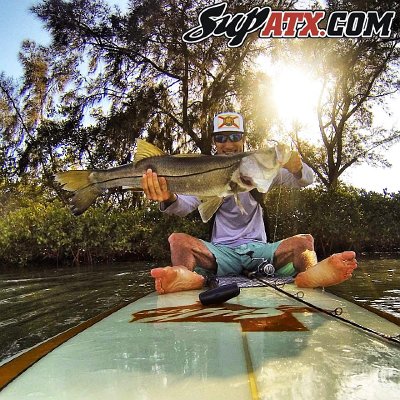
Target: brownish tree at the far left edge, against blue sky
[(27, 108)]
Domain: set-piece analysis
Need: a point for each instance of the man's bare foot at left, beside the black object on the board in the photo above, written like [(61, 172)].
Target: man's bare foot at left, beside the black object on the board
[(176, 279)]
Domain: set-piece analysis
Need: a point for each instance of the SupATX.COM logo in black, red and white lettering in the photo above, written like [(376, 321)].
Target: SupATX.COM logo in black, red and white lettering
[(215, 21)]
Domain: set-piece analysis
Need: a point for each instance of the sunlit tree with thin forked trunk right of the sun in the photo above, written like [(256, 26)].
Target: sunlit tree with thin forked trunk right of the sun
[(356, 74)]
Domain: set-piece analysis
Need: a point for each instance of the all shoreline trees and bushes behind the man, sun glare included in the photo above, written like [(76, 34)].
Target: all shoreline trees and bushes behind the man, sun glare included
[(107, 77)]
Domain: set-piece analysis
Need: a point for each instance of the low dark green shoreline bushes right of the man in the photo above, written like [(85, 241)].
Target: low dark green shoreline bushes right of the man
[(346, 218)]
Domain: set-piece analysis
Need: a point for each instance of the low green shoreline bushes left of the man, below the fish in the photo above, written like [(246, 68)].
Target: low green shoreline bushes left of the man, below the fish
[(39, 231)]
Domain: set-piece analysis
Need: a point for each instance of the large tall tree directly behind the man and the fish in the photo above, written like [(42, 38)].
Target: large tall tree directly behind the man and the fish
[(137, 65)]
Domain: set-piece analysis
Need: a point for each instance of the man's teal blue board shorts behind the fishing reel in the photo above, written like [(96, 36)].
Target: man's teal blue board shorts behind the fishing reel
[(233, 260)]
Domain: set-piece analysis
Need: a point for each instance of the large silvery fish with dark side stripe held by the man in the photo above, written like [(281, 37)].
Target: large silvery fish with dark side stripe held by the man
[(210, 178)]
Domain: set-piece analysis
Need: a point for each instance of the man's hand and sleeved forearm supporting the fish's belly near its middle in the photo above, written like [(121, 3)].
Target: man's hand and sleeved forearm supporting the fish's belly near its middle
[(156, 189)]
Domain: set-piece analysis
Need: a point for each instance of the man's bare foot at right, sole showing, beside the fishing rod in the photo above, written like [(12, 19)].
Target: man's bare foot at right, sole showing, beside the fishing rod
[(331, 271)]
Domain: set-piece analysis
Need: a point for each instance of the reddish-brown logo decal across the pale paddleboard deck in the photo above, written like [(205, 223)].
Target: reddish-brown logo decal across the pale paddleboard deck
[(251, 319)]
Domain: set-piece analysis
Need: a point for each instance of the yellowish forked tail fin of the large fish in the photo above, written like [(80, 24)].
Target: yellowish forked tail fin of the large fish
[(84, 186)]
